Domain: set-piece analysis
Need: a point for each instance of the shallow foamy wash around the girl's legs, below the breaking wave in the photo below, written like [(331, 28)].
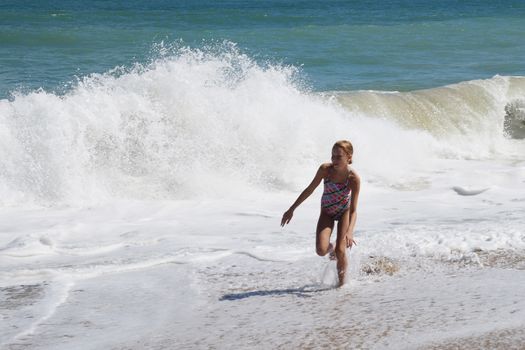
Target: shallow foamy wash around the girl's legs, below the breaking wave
[(151, 276)]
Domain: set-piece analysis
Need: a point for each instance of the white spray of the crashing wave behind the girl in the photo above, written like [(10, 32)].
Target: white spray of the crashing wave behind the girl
[(212, 122)]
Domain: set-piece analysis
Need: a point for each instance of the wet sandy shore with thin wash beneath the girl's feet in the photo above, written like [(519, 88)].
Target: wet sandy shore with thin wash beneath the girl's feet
[(233, 304)]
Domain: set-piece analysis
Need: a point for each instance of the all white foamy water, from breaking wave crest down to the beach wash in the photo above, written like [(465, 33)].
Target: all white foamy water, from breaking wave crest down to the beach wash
[(145, 203)]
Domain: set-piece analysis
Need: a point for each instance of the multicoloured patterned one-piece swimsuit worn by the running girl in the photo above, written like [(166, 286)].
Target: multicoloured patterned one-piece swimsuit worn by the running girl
[(336, 198)]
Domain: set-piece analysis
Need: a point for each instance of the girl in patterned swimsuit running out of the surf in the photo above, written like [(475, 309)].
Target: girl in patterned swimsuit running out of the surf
[(338, 203)]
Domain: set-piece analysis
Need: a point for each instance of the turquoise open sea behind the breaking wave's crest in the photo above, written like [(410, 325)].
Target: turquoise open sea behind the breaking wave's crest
[(337, 45)]
